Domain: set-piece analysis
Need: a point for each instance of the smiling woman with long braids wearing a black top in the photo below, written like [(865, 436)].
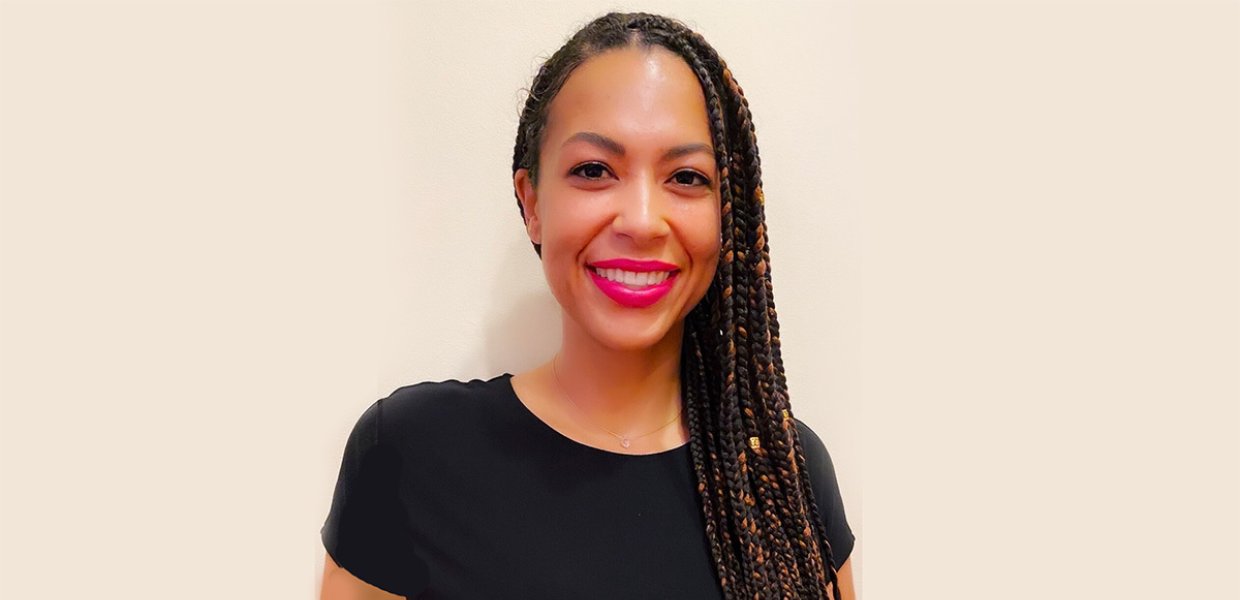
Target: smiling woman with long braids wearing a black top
[(655, 456)]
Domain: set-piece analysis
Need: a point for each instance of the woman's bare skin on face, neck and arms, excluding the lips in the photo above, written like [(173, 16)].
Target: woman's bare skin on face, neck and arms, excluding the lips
[(621, 365)]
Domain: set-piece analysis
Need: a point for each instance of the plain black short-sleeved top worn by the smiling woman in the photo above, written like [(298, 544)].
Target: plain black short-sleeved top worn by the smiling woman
[(456, 490)]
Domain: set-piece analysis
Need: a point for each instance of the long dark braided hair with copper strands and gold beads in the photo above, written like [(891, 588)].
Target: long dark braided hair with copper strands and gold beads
[(766, 535)]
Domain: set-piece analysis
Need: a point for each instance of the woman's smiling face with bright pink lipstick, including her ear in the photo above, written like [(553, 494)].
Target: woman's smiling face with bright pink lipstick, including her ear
[(627, 173)]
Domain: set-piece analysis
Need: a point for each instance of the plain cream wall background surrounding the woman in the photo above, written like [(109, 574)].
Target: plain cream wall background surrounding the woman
[(1004, 242)]
